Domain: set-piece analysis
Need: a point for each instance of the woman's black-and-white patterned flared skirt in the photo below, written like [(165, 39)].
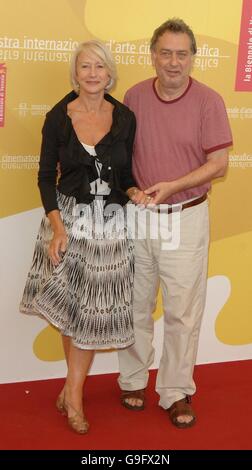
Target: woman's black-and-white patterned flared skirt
[(88, 296)]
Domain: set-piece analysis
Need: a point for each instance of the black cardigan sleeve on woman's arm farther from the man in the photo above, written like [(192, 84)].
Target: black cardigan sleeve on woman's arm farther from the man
[(47, 175)]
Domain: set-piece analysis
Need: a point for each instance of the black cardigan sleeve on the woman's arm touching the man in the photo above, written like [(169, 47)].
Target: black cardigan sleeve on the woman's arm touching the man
[(127, 180)]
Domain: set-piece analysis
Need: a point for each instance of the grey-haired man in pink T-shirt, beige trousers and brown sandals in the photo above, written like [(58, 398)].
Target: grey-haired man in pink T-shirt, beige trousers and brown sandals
[(181, 145)]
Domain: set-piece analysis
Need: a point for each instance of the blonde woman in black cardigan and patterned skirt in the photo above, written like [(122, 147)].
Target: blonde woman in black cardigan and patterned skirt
[(81, 280)]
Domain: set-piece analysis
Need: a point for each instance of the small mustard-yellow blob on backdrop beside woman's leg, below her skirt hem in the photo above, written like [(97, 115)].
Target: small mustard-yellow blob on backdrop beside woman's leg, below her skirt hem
[(47, 345)]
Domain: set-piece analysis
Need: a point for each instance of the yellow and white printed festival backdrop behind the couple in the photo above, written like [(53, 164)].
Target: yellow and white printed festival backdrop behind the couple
[(35, 47)]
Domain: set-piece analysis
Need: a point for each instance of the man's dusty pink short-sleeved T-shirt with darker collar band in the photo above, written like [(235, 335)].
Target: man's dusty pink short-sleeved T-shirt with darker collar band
[(174, 137)]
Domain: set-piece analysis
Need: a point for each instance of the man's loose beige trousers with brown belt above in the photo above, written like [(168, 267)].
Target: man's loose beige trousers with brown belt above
[(182, 276)]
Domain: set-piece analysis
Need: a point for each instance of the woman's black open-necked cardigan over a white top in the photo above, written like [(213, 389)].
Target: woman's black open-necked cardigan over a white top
[(77, 167)]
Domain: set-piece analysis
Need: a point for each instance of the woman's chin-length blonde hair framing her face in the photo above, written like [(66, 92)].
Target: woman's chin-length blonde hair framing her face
[(102, 51)]
